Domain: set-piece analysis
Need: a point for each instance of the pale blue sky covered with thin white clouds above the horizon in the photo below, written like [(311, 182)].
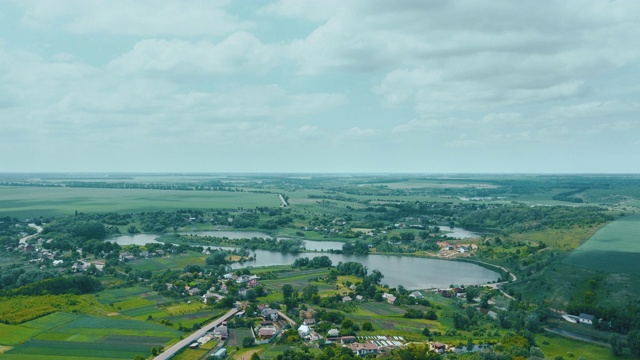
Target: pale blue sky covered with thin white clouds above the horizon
[(320, 86)]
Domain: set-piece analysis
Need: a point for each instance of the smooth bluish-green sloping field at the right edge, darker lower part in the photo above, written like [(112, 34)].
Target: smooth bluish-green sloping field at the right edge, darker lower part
[(615, 248)]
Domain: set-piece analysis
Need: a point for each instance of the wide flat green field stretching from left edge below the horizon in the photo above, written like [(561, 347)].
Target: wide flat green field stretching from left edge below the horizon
[(25, 202)]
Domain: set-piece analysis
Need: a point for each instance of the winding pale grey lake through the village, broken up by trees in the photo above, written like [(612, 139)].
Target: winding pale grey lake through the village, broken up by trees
[(411, 272)]
